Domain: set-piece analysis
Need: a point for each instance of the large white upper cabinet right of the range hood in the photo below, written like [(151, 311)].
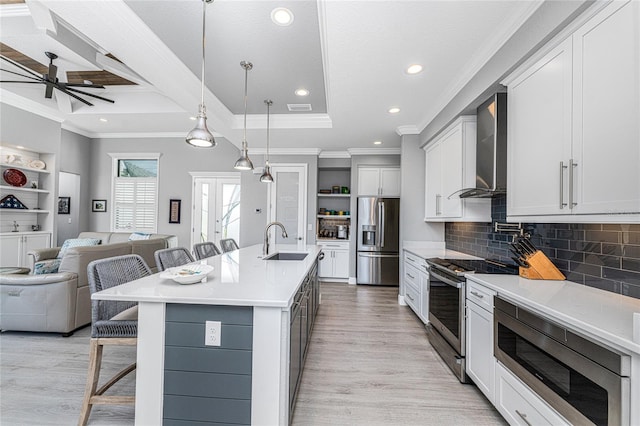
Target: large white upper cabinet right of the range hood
[(573, 126)]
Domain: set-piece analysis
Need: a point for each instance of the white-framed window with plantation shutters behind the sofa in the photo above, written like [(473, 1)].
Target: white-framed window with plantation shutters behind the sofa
[(135, 194)]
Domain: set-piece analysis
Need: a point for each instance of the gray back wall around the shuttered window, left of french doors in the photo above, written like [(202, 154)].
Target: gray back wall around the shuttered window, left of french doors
[(177, 160)]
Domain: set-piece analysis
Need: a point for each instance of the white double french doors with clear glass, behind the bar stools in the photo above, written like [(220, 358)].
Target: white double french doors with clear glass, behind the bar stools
[(216, 208)]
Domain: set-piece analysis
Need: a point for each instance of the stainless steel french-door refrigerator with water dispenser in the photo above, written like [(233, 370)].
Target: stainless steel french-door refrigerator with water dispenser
[(378, 240)]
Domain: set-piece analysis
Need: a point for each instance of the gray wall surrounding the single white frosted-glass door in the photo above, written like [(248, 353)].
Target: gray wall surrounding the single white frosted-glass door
[(254, 196)]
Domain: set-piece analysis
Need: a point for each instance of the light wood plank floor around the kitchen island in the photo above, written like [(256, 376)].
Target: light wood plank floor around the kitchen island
[(369, 363)]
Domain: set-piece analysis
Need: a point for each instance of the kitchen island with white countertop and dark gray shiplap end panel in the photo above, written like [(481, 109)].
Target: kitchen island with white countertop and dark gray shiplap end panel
[(245, 380)]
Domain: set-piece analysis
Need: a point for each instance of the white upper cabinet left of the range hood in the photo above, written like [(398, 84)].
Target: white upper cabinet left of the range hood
[(450, 167)]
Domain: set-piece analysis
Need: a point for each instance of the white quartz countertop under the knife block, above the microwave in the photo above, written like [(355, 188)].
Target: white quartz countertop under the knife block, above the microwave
[(608, 317)]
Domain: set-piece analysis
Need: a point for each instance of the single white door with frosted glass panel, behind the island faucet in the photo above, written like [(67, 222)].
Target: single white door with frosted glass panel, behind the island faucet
[(288, 202)]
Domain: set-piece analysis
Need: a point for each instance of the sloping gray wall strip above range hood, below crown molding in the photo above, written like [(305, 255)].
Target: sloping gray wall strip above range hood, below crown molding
[(545, 22)]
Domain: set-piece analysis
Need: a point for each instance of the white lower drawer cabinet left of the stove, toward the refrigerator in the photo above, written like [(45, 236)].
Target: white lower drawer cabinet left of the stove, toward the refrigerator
[(416, 285)]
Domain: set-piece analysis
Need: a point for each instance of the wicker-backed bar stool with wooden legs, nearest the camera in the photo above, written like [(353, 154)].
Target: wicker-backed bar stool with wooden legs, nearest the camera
[(112, 323)]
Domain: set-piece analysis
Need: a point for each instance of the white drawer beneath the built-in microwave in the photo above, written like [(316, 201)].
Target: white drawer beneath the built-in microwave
[(519, 405)]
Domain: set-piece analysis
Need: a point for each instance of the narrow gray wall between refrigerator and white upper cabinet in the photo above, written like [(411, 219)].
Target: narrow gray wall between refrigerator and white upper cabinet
[(412, 224)]
